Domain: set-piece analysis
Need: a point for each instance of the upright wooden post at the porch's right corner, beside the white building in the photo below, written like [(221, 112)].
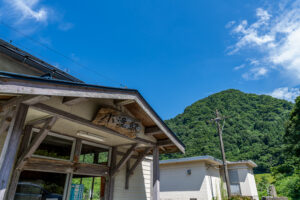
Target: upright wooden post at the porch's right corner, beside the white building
[(156, 173)]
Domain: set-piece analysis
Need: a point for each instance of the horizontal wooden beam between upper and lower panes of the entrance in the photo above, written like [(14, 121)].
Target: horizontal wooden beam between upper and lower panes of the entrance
[(64, 166)]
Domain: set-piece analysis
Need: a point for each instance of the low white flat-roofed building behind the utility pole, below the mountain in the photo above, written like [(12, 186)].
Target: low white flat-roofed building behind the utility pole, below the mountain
[(199, 178)]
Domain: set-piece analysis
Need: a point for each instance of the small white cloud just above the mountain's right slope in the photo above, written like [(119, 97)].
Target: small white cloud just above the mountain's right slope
[(289, 94)]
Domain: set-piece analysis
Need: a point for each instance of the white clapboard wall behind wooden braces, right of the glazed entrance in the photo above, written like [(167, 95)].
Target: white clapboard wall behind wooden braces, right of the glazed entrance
[(139, 183)]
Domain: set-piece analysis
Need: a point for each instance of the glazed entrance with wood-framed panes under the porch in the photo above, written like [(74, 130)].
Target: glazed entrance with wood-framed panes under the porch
[(41, 182)]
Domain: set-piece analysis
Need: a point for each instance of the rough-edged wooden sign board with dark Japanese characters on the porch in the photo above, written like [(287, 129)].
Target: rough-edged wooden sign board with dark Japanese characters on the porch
[(118, 121)]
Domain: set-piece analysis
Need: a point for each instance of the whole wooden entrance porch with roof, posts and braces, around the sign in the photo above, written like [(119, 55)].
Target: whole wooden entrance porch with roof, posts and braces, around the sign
[(67, 108)]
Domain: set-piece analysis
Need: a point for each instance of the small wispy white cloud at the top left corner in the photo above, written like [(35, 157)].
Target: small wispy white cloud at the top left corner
[(28, 9)]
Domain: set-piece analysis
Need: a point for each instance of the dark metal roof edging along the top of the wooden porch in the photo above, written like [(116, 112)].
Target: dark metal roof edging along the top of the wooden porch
[(90, 86)]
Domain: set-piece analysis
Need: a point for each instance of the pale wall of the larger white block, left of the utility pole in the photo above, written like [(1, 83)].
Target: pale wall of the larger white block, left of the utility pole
[(176, 184)]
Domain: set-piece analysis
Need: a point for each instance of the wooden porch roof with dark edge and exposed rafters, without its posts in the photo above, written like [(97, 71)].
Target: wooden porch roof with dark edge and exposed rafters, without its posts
[(66, 94)]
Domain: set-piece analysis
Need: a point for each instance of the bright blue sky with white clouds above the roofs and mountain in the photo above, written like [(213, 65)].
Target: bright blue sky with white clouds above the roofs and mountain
[(174, 52)]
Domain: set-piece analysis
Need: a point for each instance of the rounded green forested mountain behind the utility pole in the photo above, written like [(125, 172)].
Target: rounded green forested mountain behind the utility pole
[(254, 128)]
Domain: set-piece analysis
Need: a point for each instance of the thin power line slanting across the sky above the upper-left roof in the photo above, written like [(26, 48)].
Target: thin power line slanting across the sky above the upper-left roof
[(61, 54)]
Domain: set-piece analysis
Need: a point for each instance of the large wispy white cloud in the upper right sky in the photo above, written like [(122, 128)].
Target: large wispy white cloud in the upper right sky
[(276, 37)]
